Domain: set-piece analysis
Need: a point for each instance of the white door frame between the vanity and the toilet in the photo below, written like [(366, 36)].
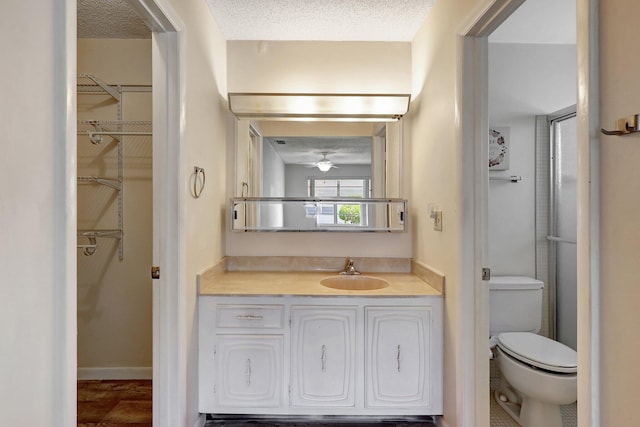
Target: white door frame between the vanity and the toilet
[(473, 409)]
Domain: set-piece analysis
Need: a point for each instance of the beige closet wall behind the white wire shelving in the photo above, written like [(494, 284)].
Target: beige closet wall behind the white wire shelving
[(114, 296)]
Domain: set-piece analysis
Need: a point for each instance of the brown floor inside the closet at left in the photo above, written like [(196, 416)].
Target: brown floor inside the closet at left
[(114, 403)]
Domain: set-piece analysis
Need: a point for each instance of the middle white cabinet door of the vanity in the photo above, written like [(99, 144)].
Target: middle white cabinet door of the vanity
[(323, 356)]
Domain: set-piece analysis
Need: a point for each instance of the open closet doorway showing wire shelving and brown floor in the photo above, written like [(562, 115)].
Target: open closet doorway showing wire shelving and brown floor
[(115, 211)]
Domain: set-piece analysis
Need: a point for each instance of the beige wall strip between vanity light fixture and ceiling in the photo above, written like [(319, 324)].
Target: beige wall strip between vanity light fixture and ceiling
[(319, 67)]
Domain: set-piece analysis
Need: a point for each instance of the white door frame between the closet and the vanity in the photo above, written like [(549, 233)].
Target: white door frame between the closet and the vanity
[(169, 307)]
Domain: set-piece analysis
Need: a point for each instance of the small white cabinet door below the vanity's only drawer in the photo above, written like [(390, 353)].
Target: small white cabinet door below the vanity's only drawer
[(249, 371)]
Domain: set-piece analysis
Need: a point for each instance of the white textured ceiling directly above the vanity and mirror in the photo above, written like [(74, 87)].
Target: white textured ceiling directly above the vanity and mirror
[(331, 20)]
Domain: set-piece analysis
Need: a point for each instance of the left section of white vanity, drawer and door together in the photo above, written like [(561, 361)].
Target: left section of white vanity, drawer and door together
[(241, 356)]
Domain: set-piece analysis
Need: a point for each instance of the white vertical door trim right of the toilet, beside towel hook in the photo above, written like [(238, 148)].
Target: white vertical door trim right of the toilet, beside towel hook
[(588, 113)]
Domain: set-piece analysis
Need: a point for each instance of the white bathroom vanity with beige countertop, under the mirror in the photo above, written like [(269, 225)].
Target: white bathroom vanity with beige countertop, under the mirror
[(280, 343)]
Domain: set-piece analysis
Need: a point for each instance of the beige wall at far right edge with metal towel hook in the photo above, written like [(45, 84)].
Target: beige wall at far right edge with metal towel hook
[(619, 225)]
